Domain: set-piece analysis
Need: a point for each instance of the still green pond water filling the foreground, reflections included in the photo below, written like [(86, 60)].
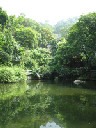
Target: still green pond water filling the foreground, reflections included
[(48, 104)]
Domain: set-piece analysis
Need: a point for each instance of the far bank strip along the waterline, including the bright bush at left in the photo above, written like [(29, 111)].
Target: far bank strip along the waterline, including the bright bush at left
[(16, 74)]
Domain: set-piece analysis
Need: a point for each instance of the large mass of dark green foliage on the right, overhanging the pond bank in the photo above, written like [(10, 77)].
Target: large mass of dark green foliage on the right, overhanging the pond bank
[(77, 57)]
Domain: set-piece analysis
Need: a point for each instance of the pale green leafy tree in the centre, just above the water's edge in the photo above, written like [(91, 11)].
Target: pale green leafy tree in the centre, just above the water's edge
[(38, 60)]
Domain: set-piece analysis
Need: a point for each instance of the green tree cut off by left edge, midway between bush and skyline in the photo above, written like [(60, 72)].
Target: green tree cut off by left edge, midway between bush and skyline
[(7, 45)]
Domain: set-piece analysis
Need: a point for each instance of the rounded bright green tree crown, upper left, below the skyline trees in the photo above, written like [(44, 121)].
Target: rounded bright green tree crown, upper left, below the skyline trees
[(26, 37)]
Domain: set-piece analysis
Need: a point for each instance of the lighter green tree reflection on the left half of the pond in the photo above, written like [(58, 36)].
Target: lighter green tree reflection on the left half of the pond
[(17, 106)]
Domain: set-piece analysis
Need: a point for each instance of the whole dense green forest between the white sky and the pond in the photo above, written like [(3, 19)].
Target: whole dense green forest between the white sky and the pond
[(65, 51)]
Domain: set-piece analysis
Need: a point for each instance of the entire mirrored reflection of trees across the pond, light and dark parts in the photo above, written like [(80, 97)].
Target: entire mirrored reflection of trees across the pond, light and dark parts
[(37, 106)]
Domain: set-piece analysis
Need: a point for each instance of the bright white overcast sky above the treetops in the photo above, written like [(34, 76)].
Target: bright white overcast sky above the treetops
[(50, 11)]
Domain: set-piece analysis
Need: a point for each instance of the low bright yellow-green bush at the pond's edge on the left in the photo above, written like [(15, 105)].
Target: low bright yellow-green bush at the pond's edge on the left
[(11, 74)]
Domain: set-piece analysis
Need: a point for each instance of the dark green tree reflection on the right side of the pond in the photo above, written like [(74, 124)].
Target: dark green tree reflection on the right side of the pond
[(76, 109)]
